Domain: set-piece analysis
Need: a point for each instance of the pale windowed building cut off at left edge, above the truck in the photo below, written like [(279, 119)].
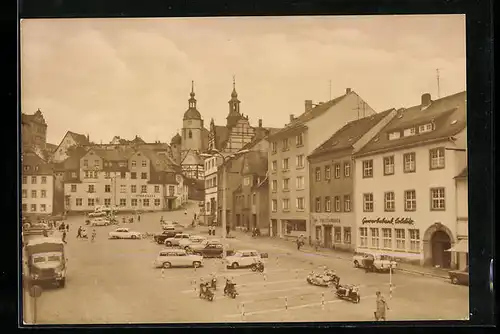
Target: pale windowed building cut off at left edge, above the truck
[(37, 185)]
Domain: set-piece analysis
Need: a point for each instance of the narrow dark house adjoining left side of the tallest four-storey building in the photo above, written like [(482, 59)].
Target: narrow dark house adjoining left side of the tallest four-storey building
[(251, 198)]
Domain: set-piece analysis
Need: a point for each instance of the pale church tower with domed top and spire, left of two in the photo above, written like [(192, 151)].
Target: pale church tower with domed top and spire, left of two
[(192, 126)]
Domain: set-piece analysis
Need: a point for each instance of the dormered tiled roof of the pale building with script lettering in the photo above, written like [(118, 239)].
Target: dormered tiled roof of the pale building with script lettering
[(448, 115)]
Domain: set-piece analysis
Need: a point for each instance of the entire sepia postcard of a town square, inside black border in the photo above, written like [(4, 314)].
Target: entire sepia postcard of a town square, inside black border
[(244, 169)]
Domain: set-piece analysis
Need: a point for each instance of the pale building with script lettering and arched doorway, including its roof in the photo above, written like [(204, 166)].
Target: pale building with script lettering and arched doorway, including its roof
[(405, 188)]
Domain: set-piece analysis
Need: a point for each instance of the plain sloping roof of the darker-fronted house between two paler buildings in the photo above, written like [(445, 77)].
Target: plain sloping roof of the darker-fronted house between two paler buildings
[(348, 135)]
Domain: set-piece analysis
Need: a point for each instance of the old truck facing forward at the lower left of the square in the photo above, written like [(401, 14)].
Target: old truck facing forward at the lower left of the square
[(45, 261)]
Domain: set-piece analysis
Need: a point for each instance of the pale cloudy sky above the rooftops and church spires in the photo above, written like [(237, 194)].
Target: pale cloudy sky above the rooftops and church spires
[(127, 77)]
